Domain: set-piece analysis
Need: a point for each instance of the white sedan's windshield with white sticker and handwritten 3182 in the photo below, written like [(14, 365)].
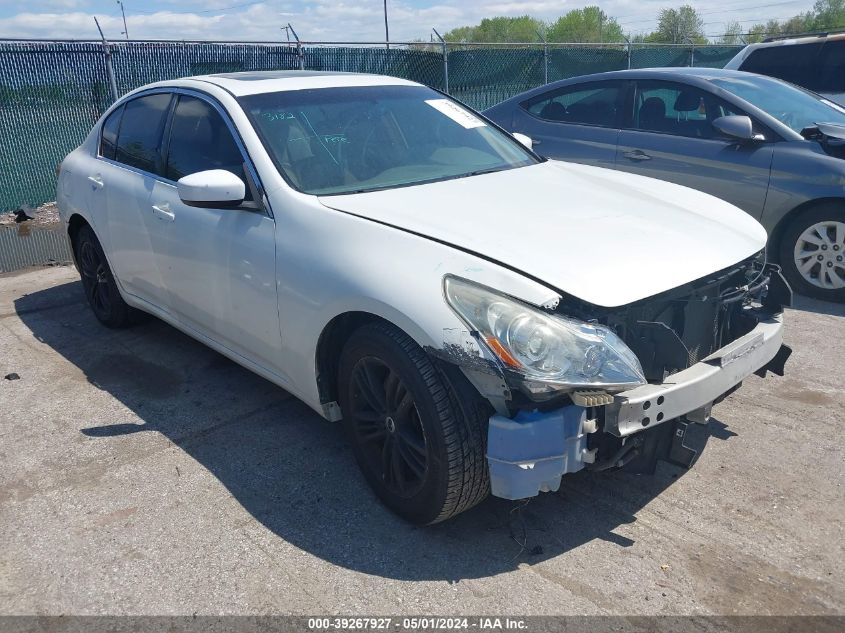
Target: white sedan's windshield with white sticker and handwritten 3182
[(363, 138)]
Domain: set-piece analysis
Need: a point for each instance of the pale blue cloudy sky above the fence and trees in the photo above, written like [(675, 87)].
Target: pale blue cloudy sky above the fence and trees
[(356, 20)]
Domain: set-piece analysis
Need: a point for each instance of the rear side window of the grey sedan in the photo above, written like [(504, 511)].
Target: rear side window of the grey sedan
[(586, 104)]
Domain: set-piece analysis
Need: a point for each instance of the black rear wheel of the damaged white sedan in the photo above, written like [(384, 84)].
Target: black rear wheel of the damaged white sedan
[(101, 291)]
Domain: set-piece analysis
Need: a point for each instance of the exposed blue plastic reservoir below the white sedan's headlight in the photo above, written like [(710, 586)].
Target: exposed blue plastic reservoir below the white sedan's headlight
[(529, 453)]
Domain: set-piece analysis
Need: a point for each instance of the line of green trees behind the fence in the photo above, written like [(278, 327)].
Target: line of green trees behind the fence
[(683, 25)]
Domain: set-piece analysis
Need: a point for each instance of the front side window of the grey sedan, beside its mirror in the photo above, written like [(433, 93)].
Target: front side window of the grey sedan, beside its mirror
[(671, 108)]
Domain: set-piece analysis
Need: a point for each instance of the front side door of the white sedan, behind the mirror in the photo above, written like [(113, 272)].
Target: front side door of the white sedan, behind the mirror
[(218, 264)]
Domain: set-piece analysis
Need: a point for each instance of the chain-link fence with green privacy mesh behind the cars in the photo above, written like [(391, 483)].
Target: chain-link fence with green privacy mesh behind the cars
[(51, 93)]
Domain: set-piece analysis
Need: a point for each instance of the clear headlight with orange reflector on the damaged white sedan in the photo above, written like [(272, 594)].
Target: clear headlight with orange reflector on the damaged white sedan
[(542, 347)]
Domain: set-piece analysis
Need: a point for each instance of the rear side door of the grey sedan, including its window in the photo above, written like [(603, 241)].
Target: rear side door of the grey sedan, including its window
[(578, 123)]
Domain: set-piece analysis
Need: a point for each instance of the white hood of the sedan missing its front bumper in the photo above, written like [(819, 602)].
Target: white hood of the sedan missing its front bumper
[(603, 236)]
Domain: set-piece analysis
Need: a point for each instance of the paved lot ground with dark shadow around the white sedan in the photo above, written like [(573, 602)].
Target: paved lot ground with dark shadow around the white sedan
[(145, 474)]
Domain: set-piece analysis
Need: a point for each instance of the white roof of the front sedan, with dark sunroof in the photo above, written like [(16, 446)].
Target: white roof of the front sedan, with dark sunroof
[(258, 82)]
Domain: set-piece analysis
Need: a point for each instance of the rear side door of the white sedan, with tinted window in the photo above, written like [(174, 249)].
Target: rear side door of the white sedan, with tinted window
[(121, 182)]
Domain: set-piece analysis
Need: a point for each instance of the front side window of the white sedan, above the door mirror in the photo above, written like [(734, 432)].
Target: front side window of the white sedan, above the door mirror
[(201, 140)]
